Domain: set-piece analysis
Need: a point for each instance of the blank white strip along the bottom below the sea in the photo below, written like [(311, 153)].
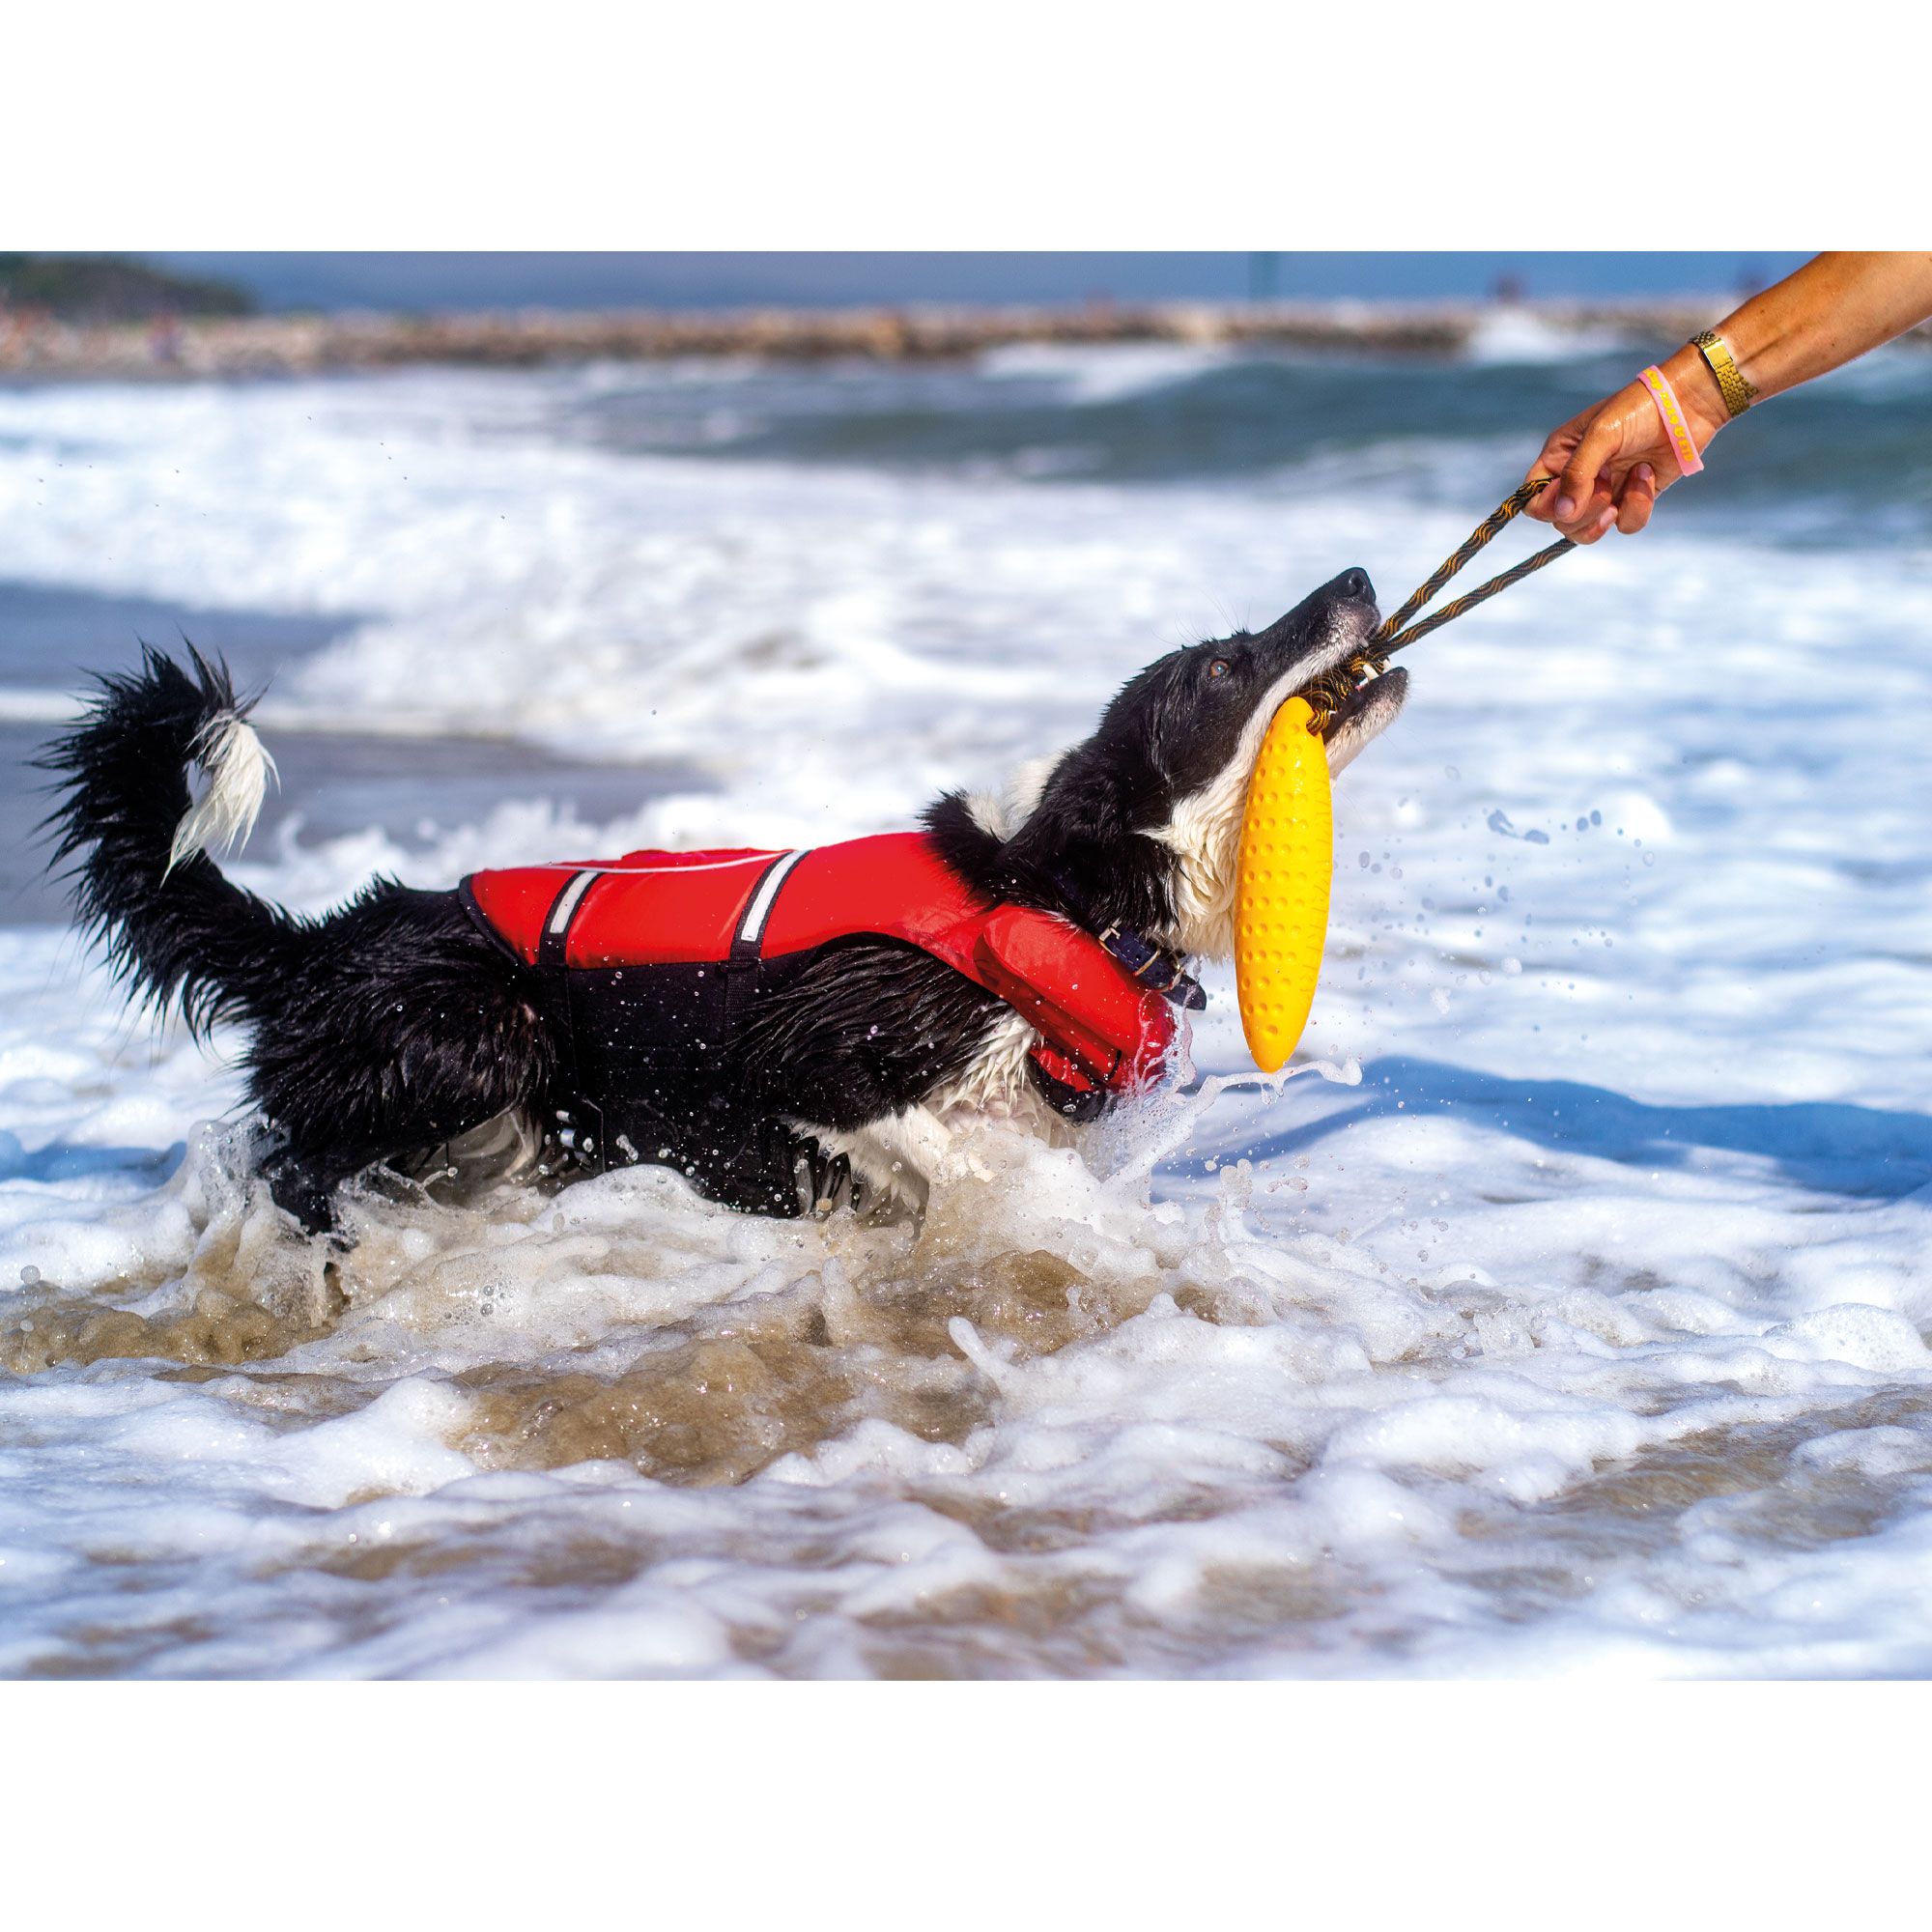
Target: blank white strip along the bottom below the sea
[(946, 1805)]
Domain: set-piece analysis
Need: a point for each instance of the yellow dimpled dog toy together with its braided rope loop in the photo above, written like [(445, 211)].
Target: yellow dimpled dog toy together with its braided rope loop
[(1288, 843)]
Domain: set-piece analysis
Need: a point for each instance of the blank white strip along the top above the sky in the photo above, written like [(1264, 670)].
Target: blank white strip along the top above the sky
[(1009, 125)]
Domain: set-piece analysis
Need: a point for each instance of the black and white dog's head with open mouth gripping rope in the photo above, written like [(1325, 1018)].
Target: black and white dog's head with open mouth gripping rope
[(1141, 824)]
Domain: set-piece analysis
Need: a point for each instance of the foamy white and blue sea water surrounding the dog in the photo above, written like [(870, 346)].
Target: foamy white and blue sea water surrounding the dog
[(1562, 1311)]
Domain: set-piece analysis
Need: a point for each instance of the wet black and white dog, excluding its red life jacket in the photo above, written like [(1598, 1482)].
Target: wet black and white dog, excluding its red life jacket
[(395, 1027)]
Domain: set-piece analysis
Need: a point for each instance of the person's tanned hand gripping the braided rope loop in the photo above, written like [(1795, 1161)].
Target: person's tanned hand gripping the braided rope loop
[(1616, 459)]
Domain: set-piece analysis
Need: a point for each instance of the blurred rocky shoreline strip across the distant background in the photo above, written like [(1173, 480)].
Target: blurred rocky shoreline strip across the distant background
[(304, 345)]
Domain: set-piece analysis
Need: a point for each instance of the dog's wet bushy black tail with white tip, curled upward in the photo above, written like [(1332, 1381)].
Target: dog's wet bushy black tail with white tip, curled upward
[(146, 882)]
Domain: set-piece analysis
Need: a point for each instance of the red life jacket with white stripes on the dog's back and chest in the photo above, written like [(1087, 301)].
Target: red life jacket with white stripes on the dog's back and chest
[(1098, 1025)]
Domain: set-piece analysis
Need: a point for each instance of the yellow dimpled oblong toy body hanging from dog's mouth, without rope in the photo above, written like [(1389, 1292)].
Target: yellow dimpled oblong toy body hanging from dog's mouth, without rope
[(1282, 886)]
